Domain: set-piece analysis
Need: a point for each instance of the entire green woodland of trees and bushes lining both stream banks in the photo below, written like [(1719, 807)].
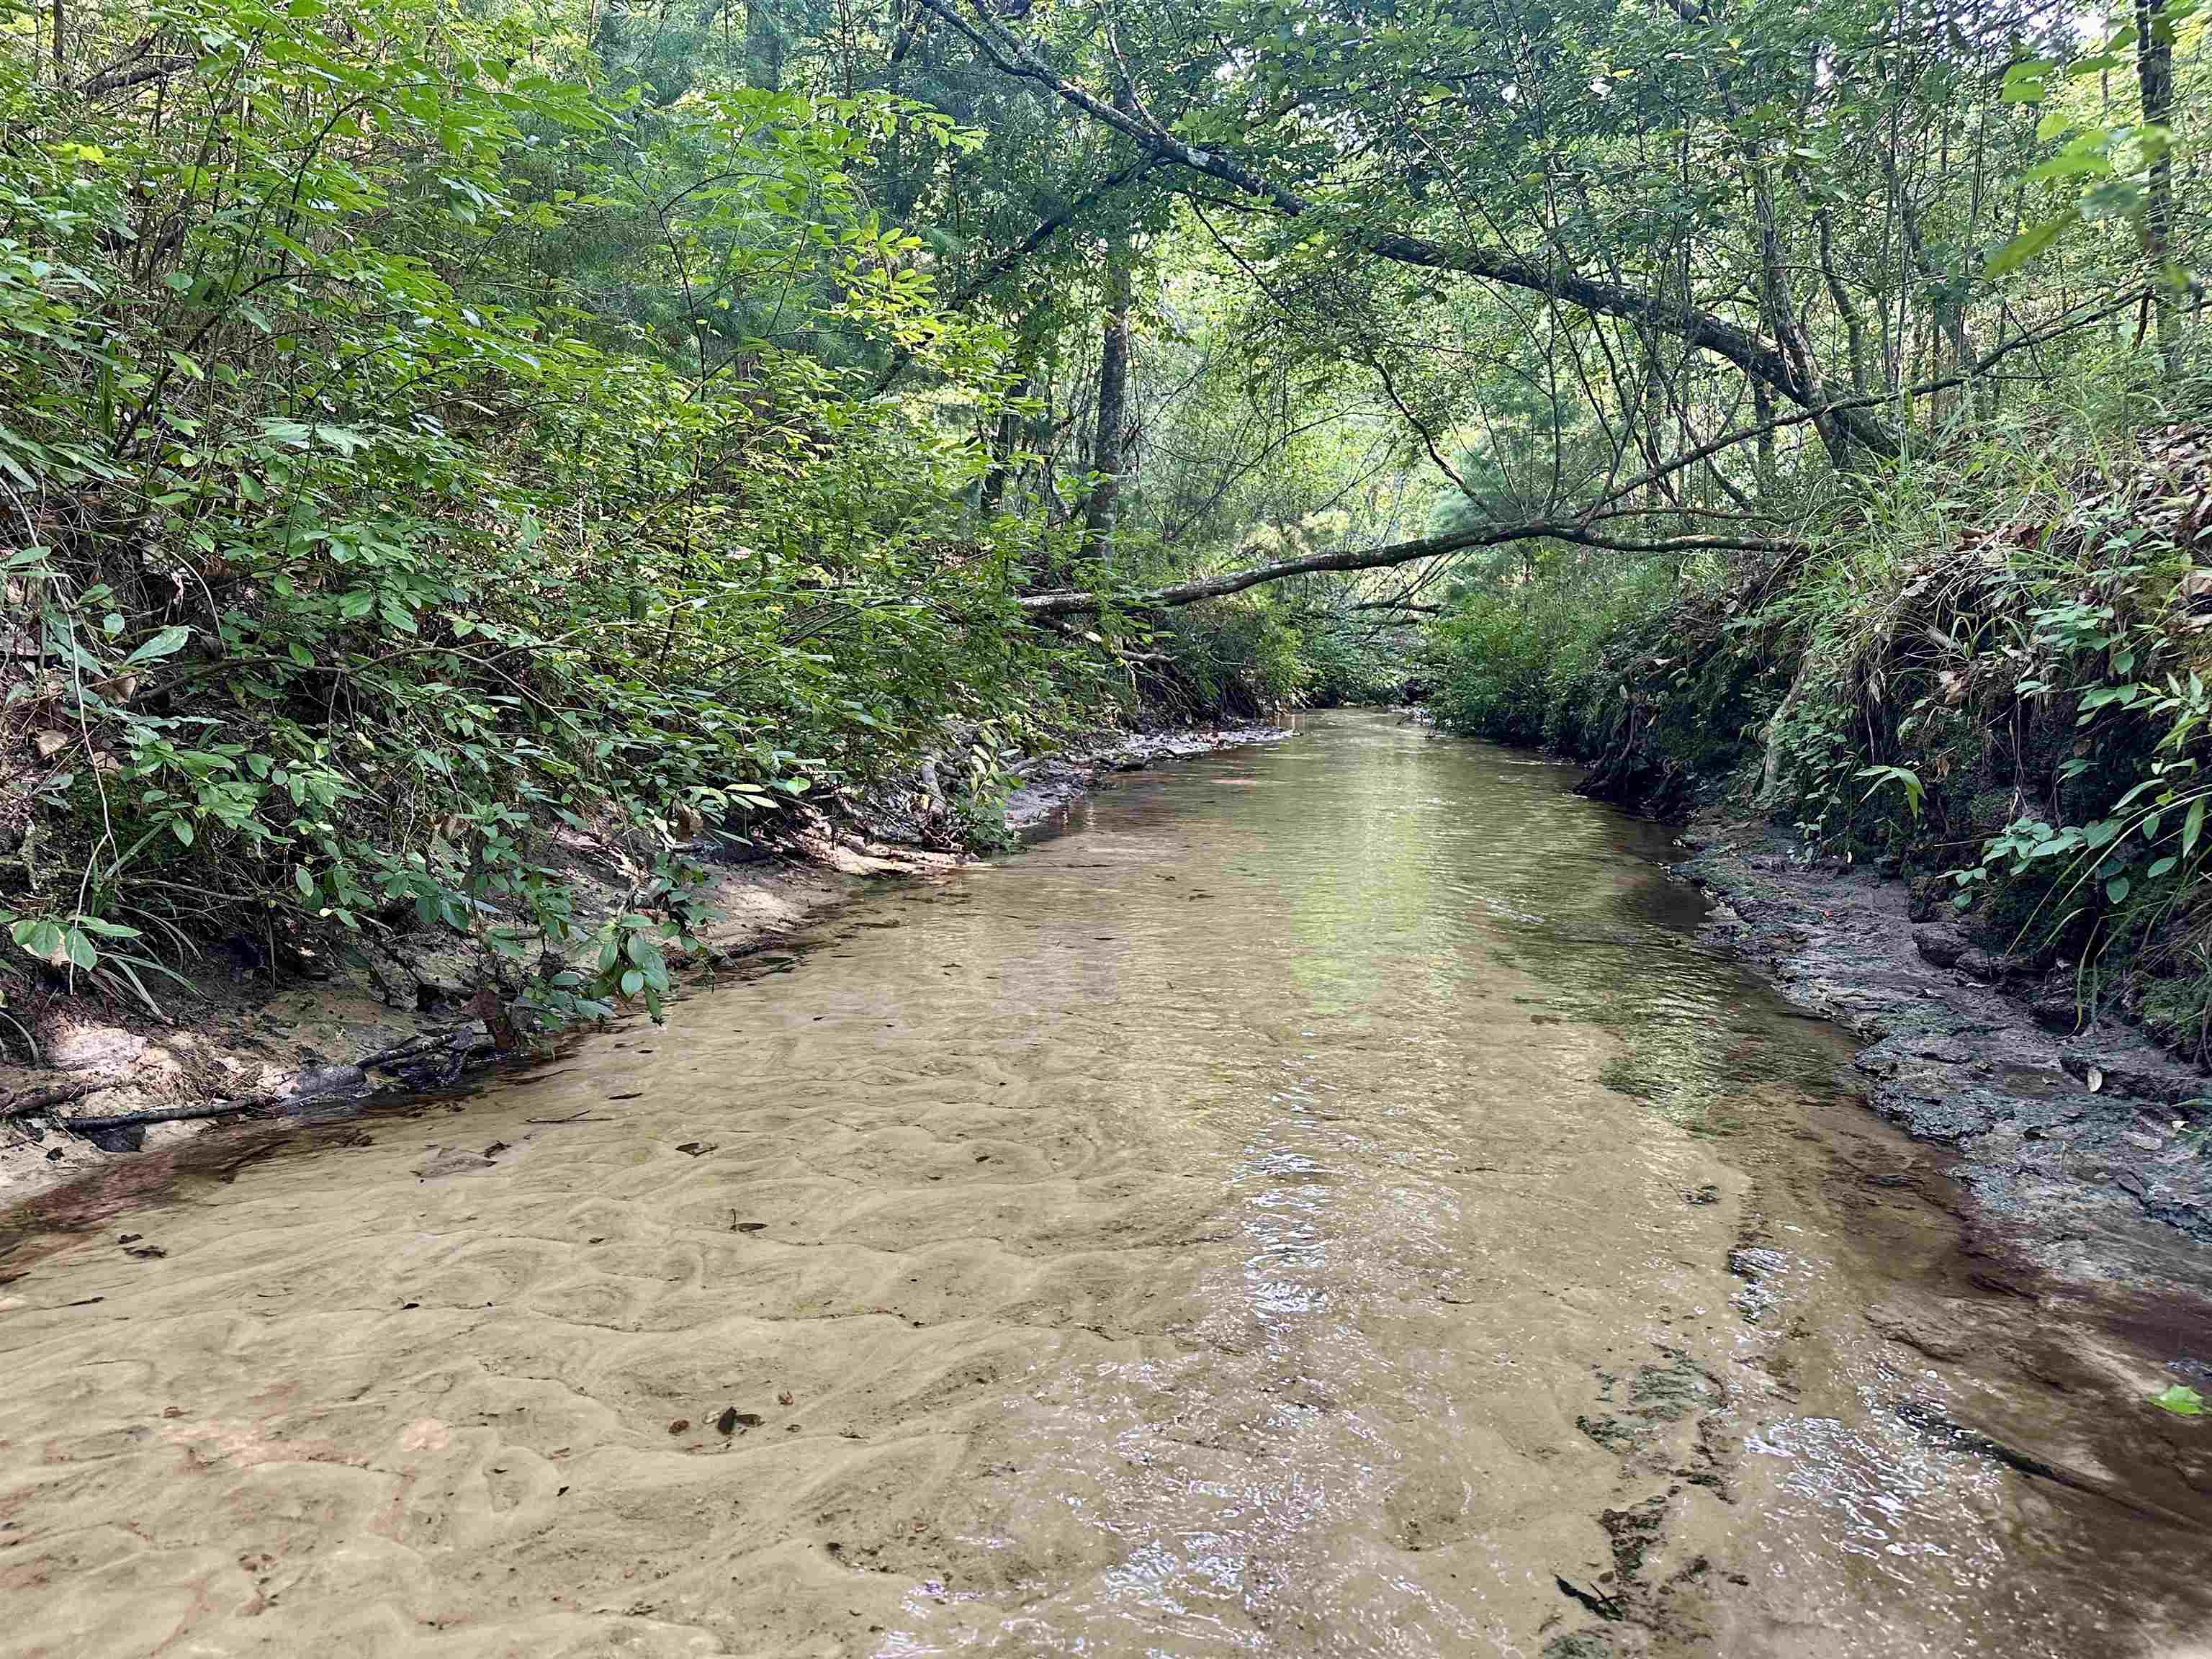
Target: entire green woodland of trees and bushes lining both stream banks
[(448, 446)]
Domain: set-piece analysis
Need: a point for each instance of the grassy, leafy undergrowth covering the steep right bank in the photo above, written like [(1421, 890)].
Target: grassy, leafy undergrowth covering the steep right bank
[(1985, 669)]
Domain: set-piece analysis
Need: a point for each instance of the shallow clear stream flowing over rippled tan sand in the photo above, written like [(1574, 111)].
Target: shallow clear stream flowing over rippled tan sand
[(1322, 1204)]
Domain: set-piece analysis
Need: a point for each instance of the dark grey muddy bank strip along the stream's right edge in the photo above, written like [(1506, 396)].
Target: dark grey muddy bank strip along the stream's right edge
[(2076, 1138)]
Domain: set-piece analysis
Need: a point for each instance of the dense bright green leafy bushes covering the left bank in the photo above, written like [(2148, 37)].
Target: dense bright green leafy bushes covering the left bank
[(428, 452)]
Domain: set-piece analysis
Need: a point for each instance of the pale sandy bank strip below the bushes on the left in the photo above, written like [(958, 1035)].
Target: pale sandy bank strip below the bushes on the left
[(410, 1019)]
